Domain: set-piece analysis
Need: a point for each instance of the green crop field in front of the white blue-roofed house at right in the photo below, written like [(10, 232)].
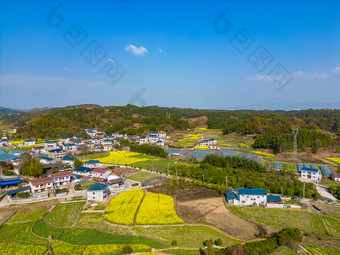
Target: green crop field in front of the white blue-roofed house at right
[(283, 218)]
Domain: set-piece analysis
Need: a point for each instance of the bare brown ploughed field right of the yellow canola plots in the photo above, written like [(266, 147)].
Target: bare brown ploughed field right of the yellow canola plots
[(212, 211)]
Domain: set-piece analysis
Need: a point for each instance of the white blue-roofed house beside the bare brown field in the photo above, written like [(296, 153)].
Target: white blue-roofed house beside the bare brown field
[(246, 197)]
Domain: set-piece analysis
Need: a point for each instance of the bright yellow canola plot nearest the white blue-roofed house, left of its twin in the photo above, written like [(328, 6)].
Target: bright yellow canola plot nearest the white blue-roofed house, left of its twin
[(122, 209)]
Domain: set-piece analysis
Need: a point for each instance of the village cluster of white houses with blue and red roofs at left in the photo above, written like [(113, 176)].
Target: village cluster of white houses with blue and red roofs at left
[(58, 155)]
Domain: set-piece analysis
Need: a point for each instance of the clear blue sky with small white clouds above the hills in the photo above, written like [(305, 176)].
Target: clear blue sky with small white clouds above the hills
[(171, 54)]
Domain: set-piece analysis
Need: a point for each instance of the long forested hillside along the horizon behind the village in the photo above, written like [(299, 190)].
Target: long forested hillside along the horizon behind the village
[(273, 129)]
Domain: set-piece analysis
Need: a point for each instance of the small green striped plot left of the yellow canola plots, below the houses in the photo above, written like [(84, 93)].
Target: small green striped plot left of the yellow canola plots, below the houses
[(65, 214)]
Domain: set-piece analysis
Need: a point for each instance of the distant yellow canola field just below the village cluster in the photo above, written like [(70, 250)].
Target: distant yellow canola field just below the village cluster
[(123, 158)]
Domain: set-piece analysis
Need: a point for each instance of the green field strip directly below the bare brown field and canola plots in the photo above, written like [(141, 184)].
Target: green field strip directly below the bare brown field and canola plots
[(186, 236)]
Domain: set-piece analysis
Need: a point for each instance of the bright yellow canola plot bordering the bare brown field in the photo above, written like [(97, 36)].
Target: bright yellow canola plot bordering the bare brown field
[(157, 209)]
